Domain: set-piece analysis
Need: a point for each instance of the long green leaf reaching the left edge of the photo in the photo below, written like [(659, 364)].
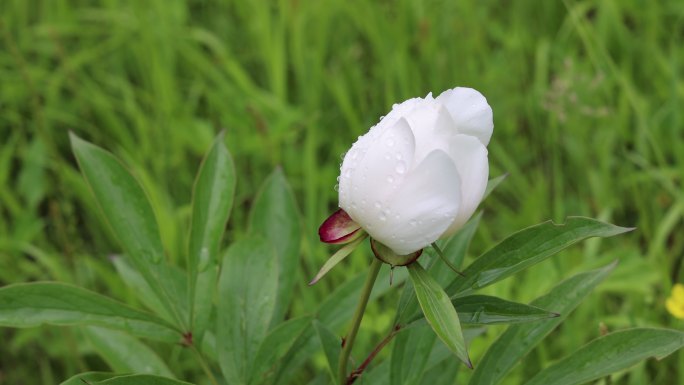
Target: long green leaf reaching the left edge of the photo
[(34, 304)]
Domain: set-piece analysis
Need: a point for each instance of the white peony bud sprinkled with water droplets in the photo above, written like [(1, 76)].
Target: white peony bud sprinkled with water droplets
[(419, 174)]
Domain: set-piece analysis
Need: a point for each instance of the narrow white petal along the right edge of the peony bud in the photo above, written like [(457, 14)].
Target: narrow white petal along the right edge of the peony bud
[(470, 157)]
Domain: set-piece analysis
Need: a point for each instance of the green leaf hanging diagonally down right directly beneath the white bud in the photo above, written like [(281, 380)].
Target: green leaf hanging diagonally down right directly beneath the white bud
[(439, 312)]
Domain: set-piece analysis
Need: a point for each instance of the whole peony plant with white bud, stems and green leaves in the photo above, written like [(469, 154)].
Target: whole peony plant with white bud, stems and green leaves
[(412, 185)]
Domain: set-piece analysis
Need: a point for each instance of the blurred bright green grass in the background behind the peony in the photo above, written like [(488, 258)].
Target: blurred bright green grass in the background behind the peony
[(587, 99)]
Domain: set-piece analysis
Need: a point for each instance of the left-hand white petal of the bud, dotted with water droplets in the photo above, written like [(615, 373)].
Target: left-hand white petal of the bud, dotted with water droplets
[(376, 173)]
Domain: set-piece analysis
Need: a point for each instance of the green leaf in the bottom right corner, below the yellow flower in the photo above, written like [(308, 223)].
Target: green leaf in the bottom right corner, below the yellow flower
[(609, 354)]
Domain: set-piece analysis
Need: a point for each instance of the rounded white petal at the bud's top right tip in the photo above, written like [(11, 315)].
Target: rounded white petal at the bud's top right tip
[(470, 112)]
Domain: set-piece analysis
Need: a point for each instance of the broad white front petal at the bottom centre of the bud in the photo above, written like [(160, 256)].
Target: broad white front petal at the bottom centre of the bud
[(423, 208)]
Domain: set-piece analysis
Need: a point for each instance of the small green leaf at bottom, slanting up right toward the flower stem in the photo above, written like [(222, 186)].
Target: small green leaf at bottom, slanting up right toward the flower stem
[(275, 345)]
